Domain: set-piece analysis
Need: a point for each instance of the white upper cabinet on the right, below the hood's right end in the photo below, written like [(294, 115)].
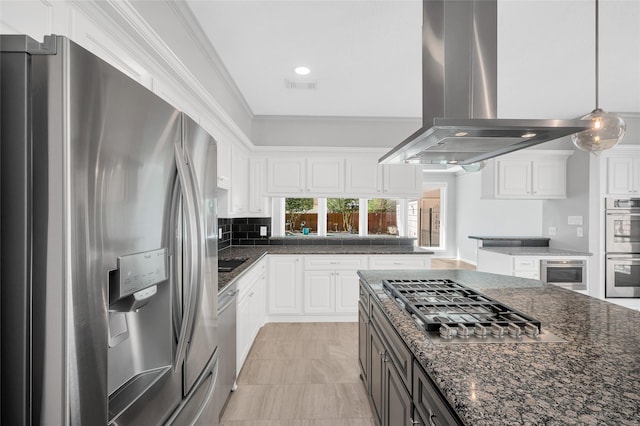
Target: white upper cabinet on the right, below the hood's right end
[(533, 174)]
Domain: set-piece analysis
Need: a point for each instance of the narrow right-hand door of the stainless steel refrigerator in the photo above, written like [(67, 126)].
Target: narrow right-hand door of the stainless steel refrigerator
[(200, 153)]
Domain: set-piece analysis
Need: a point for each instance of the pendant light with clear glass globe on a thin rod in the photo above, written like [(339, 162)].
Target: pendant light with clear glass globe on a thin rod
[(607, 128)]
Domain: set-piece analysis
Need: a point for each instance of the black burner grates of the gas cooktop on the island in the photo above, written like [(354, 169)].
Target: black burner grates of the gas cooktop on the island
[(442, 301)]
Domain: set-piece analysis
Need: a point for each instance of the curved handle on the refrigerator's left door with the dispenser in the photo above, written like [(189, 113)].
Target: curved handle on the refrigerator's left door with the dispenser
[(192, 247)]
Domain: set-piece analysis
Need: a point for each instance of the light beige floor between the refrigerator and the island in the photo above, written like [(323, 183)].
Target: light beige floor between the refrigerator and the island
[(301, 374)]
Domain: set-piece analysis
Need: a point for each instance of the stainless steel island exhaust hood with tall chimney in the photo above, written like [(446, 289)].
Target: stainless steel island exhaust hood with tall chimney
[(459, 92)]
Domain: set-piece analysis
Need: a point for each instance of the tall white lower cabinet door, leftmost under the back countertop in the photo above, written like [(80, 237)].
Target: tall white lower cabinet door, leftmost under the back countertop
[(285, 279)]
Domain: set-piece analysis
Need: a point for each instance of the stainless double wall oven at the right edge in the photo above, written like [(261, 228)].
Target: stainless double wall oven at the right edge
[(622, 239)]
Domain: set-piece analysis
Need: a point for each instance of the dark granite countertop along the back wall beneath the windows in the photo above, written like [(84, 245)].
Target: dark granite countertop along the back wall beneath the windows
[(255, 253)]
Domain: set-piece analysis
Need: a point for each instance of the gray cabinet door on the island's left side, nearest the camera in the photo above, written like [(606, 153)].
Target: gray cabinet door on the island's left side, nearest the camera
[(397, 400)]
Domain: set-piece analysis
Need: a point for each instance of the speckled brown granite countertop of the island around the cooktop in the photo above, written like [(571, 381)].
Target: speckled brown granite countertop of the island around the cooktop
[(592, 379)]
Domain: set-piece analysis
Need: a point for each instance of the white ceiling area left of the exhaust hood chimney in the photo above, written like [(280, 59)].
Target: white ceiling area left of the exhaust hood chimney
[(364, 55)]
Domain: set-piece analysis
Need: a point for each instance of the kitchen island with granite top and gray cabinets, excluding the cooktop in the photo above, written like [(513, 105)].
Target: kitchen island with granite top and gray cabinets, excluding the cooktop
[(592, 378)]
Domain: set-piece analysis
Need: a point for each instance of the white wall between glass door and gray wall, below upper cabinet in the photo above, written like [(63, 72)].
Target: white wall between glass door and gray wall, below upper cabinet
[(475, 216)]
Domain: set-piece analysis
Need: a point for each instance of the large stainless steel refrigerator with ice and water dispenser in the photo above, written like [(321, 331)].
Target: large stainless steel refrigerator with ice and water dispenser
[(109, 246)]
